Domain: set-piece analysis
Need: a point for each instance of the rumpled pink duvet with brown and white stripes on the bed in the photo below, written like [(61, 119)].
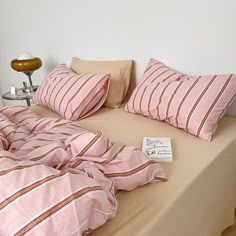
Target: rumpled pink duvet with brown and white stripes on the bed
[(59, 179)]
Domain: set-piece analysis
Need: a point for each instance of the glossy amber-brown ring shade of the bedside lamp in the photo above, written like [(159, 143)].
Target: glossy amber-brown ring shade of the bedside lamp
[(26, 65)]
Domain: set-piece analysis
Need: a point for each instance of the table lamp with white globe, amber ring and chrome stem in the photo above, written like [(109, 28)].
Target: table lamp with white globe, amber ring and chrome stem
[(27, 64)]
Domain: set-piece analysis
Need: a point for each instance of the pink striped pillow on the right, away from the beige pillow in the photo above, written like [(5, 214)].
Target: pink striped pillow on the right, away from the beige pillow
[(192, 103)]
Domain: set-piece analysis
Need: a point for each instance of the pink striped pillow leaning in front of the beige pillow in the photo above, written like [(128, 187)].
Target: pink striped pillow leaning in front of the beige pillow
[(71, 95)]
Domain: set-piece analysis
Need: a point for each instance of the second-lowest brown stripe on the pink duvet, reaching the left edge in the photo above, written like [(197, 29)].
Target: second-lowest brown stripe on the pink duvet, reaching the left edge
[(33, 186)]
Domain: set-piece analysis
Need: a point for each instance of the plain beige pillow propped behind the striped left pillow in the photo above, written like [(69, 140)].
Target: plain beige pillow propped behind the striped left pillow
[(120, 72)]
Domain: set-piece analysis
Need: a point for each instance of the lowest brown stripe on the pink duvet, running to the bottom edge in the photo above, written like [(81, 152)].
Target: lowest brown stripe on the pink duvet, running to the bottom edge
[(56, 208)]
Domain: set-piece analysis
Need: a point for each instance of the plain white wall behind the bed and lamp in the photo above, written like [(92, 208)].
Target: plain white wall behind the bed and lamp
[(192, 36)]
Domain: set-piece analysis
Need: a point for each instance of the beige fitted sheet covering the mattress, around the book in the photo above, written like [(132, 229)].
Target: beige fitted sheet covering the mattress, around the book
[(199, 197)]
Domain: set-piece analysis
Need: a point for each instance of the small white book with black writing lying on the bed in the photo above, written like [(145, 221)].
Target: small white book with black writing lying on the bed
[(158, 148)]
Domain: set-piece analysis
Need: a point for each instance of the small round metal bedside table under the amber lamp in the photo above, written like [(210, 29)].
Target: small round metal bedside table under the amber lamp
[(20, 95)]
